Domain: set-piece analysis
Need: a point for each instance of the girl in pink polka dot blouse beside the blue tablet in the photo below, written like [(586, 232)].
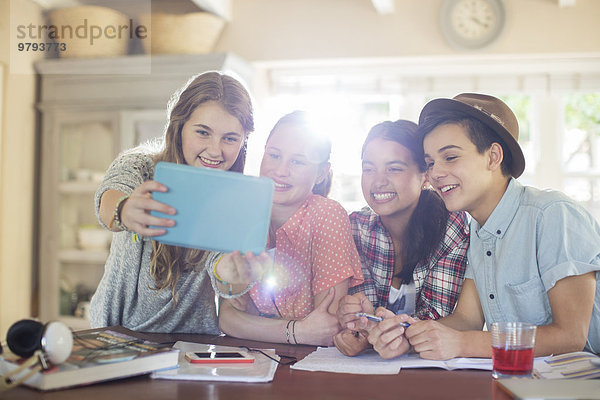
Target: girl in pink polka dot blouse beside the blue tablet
[(315, 259)]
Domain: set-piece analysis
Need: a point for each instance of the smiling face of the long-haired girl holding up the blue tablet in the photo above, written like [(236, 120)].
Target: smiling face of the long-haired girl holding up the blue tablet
[(211, 137)]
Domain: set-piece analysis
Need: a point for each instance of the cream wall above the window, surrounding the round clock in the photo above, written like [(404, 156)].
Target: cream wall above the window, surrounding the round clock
[(296, 29)]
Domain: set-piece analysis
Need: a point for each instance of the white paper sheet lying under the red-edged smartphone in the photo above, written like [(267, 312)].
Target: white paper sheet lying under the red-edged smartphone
[(261, 370)]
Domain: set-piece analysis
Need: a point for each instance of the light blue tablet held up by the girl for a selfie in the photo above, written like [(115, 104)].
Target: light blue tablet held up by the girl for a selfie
[(216, 210)]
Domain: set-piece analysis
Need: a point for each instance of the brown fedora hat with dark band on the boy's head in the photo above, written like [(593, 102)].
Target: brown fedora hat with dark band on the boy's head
[(491, 111)]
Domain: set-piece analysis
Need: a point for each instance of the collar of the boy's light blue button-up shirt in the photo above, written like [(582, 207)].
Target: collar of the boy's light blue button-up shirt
[(499, 220)]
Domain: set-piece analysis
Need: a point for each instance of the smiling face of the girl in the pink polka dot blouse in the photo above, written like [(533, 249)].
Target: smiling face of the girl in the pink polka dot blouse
[(287, 160)]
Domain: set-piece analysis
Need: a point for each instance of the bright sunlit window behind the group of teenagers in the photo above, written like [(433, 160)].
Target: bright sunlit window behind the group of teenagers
[(556, 100)]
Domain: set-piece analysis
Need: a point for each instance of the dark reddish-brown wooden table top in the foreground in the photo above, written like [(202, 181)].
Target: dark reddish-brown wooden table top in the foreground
[(288, 384)]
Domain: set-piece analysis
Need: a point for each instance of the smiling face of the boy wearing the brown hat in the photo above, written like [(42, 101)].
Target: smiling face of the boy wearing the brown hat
[(466, 179)]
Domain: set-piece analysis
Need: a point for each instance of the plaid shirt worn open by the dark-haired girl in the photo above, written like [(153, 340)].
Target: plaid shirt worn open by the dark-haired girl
[(438, 278)]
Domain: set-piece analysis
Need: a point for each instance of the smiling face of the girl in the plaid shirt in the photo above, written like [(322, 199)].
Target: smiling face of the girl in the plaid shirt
[(391, 180)]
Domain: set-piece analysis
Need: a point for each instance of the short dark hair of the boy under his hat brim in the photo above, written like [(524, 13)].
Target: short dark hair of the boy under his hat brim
[(479, 133)]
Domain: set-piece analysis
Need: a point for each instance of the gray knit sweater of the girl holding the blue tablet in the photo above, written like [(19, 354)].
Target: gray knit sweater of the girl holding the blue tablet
[(126, 294)]
